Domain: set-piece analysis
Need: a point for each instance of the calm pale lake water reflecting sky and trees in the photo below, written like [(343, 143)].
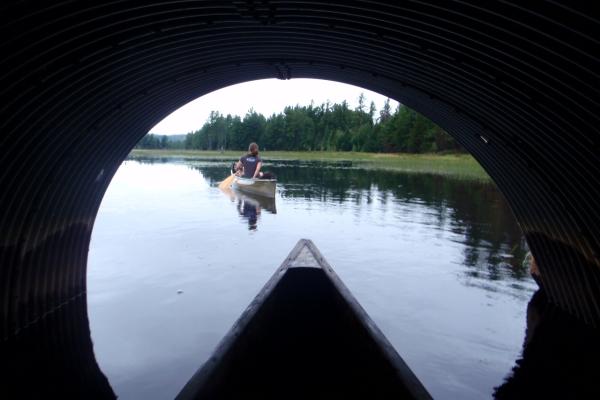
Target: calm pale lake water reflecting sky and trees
[(435, 261)]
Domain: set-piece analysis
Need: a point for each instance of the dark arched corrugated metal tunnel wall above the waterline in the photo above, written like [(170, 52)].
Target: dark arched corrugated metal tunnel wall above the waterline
[(516, 83)]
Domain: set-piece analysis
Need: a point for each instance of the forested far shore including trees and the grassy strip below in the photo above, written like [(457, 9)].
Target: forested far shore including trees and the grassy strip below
[(402, 140)]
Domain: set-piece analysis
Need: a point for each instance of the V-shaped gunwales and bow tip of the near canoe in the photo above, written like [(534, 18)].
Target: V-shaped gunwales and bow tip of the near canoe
[(303, 258)]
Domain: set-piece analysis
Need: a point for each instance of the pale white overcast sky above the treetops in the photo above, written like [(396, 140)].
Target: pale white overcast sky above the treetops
[(266, 96)]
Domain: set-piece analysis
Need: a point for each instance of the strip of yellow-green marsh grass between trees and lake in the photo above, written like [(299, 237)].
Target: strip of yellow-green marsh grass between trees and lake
[(455, 165)]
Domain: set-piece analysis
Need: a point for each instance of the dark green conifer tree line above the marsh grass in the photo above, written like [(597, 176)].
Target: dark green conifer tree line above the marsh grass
[(327, 127)]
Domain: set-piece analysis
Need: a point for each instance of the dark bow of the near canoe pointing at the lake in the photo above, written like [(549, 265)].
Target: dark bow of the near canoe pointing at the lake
[(304, 336)]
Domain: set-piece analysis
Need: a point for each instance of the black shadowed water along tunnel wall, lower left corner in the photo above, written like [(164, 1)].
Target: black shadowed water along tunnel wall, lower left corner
[(54, 359)]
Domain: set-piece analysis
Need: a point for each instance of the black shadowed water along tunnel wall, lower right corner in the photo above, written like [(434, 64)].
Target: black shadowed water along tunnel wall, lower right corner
[(559, 357)]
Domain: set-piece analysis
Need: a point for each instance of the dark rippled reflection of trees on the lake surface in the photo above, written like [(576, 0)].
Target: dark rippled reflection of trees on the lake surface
[(494, 244)]
